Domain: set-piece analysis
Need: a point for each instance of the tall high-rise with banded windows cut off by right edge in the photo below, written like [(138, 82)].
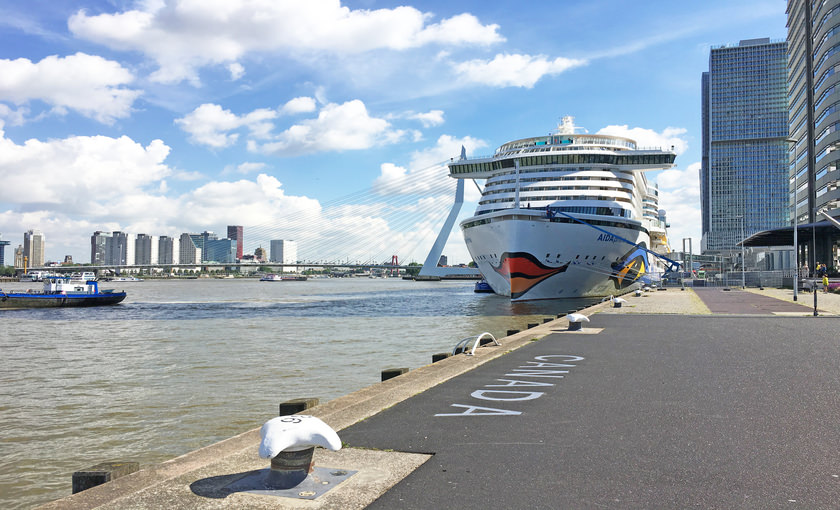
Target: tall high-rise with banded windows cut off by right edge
[(814, 118)]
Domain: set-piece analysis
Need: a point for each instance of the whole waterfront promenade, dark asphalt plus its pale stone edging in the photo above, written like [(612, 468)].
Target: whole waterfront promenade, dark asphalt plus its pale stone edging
[(715, 399)]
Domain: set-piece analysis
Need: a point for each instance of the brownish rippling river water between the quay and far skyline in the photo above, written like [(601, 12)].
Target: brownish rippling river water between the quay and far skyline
[(182, 364)]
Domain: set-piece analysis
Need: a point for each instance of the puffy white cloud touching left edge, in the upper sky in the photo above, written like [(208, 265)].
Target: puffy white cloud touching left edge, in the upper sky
[(88, 84)]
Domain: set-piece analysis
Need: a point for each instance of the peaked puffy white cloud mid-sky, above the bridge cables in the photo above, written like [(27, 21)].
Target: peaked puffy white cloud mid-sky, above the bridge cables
[(338, 127)]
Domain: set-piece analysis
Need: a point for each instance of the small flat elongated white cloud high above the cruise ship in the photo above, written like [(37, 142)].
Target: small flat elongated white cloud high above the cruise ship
[(506, 70)]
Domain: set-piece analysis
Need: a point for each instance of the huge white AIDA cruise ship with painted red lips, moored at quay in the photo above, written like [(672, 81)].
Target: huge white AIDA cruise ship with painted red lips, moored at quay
[(566, 215)]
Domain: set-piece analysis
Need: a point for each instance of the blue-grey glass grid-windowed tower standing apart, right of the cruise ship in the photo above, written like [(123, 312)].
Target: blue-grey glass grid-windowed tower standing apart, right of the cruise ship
[(744, 181)]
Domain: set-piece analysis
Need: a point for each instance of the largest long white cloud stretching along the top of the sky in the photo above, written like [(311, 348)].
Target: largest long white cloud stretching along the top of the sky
[(182, 36)]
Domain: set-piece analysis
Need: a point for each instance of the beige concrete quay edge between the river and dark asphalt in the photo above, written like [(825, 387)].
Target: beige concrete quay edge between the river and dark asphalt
[(338, 413)]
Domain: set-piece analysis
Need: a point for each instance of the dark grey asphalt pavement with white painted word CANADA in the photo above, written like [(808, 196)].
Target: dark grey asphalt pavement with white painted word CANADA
[(643, 412)]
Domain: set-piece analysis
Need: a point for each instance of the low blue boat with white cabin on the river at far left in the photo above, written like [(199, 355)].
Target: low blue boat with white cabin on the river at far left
[(60, 292)]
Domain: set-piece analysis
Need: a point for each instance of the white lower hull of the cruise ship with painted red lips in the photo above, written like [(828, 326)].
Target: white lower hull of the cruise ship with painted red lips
[(537, 259)]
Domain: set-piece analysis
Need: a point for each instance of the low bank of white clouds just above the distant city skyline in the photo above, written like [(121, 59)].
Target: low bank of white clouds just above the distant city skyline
[(128, 181)]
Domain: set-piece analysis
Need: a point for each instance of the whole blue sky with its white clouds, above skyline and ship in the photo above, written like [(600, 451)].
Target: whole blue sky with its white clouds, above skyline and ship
[(163, 117)]
